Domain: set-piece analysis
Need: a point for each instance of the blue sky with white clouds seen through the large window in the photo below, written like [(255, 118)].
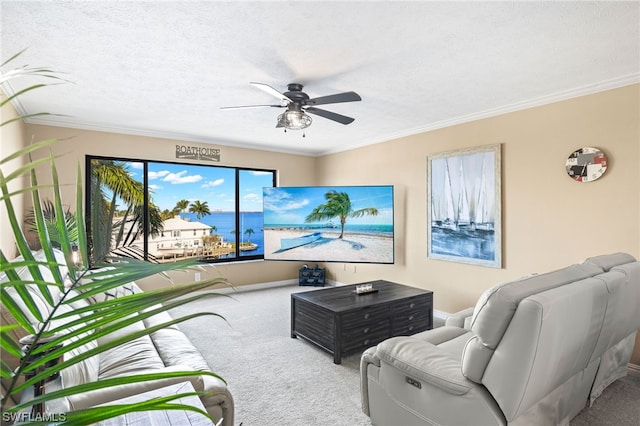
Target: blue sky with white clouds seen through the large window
[(171, 183)]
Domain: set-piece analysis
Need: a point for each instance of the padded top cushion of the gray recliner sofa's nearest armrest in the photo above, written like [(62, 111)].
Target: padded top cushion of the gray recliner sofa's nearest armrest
[(425, 362)]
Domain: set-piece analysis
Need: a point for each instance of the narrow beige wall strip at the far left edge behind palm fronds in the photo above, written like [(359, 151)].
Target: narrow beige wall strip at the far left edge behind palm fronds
[(12, 138)]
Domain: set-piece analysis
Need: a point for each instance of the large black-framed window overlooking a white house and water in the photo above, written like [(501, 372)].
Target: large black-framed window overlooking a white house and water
[(163, 211)]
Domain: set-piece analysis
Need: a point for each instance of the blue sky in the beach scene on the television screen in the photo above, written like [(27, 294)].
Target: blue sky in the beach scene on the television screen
[(290, 205)]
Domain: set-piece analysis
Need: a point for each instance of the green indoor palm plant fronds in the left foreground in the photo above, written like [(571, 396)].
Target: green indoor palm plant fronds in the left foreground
[(99, 319)]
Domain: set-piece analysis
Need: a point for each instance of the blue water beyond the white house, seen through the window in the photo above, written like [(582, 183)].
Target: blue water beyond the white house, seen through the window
[(225, 222)]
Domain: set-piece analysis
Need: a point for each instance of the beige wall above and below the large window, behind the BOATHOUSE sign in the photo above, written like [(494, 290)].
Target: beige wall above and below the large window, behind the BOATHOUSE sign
[(75, 144)]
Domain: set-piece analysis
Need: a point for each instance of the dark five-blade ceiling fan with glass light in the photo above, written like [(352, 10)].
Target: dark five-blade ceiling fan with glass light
[(298, 104)]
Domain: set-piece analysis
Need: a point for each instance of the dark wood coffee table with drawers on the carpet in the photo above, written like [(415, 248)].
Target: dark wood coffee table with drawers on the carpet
[(341, 322)]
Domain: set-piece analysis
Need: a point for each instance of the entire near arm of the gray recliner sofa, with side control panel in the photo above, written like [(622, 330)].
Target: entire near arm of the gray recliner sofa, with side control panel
[(409, 380)]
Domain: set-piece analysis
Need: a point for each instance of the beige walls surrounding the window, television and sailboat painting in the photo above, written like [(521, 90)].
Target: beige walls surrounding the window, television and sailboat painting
[(549, 221)]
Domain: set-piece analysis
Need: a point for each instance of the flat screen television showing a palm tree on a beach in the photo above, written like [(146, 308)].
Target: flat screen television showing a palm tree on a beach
[(347, 224)]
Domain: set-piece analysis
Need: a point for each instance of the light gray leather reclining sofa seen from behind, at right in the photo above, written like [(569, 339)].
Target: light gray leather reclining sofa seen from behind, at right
[(533, 352)]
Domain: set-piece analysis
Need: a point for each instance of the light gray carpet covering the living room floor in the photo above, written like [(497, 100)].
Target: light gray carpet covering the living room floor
[(277, 380)]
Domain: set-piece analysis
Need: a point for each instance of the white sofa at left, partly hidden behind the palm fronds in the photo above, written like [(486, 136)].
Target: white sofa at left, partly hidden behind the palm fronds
[(167, 349)]
